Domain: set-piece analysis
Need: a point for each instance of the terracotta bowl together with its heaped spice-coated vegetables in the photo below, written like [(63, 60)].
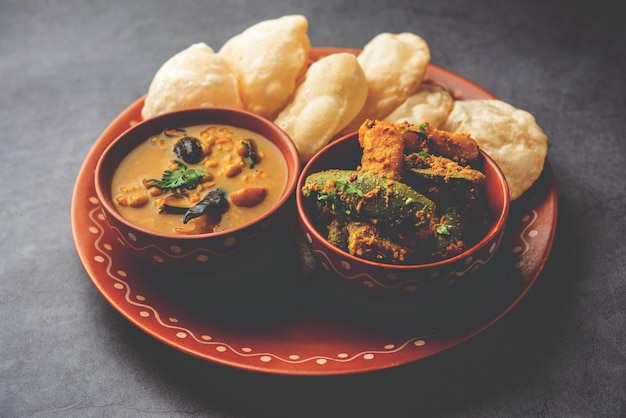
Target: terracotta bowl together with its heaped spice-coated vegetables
[(402, 210)]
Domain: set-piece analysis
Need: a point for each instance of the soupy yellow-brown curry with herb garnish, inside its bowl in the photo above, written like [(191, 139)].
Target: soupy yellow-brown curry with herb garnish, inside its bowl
[(199, 179)]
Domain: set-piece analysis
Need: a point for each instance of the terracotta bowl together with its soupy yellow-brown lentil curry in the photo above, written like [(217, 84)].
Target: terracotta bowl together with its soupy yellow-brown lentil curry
[(196, 189)]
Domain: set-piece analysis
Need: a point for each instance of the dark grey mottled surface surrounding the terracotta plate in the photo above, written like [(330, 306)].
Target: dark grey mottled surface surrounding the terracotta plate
[(68, 68)]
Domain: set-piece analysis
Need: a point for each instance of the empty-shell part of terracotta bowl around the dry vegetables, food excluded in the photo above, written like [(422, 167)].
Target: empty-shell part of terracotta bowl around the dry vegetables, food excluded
[(390, 281)]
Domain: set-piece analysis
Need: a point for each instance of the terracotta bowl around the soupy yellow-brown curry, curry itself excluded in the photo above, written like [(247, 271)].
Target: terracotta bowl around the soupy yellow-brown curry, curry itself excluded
[(199, 253)]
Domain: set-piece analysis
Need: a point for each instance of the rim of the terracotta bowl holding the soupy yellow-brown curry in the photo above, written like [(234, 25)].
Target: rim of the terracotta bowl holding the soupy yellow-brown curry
[(291, 157)]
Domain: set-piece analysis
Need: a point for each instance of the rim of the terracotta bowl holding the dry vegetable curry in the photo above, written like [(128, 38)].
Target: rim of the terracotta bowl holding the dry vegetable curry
[(497, 224)]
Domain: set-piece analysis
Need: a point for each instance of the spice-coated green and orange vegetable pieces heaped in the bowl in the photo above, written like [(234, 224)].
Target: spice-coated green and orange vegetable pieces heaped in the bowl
[(406, 202)]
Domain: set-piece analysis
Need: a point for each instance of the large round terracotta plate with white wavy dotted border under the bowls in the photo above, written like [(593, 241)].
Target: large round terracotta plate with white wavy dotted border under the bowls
[(272, 315)]
